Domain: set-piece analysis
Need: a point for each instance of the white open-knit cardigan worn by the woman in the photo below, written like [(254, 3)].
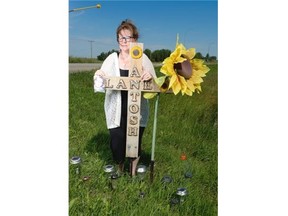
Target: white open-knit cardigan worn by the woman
[(112, 104)]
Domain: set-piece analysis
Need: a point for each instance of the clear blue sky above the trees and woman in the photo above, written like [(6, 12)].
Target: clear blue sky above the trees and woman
[(158, 22)]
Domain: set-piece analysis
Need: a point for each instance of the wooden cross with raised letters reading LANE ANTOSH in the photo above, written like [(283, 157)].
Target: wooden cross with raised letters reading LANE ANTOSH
[(135, 86)]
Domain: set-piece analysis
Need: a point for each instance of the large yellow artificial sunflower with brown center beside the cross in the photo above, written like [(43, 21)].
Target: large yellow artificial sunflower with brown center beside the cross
[(182, 72)]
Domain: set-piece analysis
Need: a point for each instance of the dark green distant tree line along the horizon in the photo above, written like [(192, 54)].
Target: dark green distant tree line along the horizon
[(154, 56)]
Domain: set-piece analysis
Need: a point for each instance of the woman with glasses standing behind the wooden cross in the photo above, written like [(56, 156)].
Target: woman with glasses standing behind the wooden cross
[(115, 105)]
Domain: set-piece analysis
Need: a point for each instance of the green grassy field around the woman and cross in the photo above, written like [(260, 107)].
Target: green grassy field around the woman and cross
[(185, 125)]
